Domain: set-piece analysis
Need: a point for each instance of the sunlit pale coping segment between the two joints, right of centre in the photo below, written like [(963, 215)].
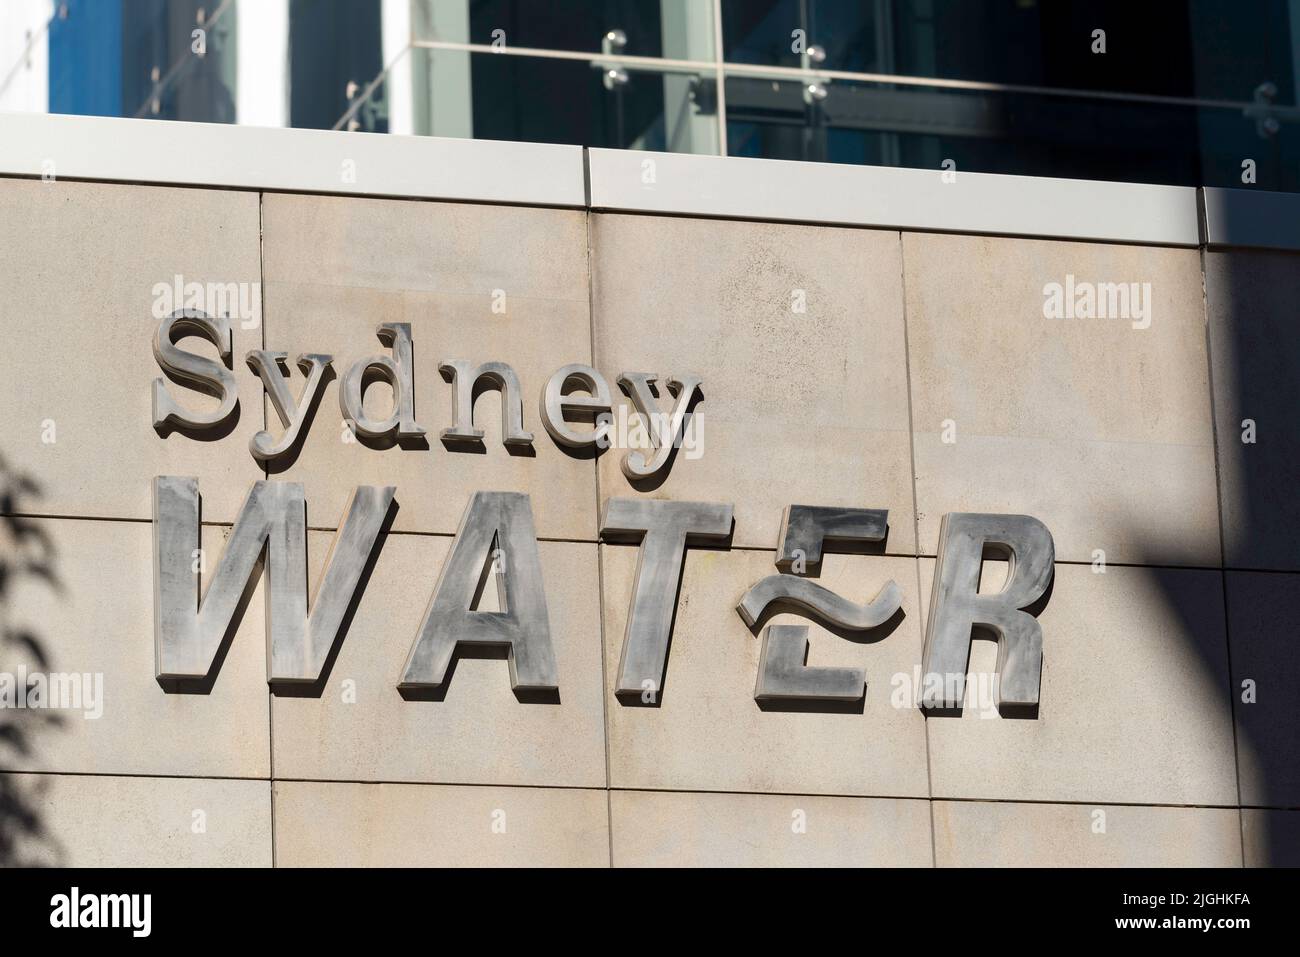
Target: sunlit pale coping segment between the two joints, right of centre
[(892, 198)]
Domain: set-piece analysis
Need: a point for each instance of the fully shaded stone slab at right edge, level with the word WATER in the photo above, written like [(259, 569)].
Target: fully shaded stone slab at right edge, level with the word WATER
[(1264, 621)]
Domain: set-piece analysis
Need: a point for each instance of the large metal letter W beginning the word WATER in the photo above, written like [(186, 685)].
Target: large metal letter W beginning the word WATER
[(189, 631)]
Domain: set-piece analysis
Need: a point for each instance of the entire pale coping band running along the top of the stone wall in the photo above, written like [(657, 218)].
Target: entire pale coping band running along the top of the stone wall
[(246, 158)]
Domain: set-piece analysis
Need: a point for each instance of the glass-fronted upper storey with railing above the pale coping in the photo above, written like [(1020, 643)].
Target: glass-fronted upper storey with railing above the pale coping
[(1178, 93)]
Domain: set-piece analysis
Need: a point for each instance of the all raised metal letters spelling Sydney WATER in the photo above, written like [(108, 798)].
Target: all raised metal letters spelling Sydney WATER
[(496, 544)]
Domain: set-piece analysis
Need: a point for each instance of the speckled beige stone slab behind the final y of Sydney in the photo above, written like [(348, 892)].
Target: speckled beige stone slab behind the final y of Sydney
[(800, 408)]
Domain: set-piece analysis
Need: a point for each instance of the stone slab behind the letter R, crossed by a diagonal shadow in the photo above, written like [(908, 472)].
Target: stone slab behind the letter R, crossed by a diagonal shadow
[(1134, 701)]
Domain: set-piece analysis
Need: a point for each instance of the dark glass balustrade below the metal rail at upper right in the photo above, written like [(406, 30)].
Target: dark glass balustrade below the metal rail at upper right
[(1007, 133)]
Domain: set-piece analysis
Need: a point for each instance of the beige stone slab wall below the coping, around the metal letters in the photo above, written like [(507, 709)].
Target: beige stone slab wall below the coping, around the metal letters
[(920, 376)]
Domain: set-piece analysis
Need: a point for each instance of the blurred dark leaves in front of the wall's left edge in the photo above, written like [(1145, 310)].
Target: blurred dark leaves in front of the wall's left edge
[(27, 561)]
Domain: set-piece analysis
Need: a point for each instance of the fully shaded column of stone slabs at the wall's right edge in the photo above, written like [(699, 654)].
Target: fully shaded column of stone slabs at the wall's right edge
[(1255, 349)]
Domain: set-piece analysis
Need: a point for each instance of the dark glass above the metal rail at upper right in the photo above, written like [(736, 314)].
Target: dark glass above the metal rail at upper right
[(1207, 49)]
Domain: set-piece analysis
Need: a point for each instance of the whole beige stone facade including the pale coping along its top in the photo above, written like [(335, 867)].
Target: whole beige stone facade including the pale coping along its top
[(1112, 361)]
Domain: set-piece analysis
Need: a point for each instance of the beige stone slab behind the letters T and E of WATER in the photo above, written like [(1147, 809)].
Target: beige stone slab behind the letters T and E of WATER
[(709, 734)]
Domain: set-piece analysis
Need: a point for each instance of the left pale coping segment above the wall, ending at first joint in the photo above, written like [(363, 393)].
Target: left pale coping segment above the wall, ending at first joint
[(250, 158)]
